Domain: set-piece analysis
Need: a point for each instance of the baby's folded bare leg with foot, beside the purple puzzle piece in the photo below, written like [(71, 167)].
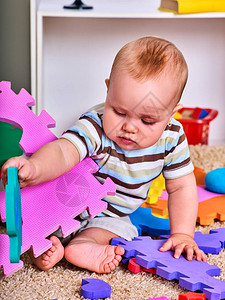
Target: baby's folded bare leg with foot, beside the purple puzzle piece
[(90, 250)]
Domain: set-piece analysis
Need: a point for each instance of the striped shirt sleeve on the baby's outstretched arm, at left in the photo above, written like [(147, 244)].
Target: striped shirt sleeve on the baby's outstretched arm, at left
[(86, 134)]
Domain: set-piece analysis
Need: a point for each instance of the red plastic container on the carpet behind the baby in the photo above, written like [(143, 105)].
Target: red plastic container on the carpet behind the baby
[(197, 130)]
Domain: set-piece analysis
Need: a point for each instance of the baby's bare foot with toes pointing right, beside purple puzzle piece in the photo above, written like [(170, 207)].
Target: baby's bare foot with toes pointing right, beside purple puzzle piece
[(94, 257)]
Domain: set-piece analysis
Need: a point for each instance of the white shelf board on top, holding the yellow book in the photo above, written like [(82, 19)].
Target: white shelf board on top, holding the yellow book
[(115, 9)]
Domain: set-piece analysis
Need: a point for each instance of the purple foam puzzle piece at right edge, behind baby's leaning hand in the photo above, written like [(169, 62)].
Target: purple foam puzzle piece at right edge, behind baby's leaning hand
[(210, 243)]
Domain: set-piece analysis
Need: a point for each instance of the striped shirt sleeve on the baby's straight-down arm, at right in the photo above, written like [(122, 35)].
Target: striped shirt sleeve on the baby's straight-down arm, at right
[(177, 162)]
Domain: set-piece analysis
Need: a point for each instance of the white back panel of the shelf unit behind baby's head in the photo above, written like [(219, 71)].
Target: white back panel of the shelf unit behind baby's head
[(76, 61)]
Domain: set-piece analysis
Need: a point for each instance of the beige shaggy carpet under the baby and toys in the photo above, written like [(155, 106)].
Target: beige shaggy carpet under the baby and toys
[(64, 280)]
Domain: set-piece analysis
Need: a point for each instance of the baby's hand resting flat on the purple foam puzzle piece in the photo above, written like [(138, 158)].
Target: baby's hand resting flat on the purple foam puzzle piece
[(183, 243)]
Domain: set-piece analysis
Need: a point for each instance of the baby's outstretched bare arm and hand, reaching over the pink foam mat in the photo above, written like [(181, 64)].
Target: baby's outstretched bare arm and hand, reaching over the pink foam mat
[(47, 163)]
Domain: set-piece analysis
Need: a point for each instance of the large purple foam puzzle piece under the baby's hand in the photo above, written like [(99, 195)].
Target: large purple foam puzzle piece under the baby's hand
[(192, 275)]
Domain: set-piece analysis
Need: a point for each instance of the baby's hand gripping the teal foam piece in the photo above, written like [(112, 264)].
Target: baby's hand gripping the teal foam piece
[(26, 170)]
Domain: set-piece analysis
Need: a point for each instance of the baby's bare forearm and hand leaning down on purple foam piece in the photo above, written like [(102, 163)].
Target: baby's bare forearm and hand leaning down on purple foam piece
[(183, 208)]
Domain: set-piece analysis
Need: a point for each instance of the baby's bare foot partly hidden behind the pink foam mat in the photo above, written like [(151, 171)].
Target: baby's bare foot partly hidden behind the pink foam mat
[(48, 259)]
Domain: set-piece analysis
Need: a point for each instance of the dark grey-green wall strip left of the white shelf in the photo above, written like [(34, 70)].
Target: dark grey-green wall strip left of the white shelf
[(15, 43)]
